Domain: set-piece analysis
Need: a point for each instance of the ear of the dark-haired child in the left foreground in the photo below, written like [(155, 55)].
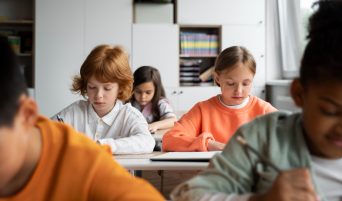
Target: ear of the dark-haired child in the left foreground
[(28, 111)]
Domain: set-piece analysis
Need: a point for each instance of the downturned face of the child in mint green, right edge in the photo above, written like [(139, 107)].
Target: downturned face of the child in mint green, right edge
[(322, 119)]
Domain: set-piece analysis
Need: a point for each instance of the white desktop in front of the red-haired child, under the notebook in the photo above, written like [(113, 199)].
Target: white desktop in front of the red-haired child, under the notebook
[(143, 162)]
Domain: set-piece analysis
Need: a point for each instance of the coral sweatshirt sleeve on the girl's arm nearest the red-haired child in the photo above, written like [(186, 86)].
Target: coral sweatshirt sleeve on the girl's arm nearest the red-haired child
[(186, 134)]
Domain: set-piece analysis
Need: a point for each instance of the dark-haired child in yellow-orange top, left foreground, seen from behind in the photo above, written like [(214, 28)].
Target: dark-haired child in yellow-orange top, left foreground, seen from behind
[(42, 159)]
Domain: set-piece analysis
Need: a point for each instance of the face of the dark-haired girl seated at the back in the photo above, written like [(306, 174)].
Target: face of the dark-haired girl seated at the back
[(144, 93)]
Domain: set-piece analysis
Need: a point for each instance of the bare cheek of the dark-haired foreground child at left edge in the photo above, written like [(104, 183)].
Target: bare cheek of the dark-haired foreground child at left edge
[(12, 153)]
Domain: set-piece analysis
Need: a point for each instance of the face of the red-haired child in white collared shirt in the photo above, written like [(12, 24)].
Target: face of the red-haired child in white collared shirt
[(102, 96)]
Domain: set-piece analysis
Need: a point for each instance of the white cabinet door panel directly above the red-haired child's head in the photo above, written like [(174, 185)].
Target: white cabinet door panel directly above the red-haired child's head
[(108, 22)]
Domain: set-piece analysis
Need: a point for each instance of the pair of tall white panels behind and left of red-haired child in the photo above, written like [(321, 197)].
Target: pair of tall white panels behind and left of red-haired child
[(66, 31)]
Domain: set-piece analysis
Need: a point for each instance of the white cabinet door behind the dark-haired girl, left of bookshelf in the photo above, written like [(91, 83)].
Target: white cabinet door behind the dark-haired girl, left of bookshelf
[(157, 45)]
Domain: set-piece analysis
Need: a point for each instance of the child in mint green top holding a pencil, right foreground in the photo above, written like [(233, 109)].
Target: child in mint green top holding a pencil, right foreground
[(306, 147)]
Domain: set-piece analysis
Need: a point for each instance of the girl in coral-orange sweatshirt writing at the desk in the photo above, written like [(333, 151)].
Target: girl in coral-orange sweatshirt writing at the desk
[(210, 124)]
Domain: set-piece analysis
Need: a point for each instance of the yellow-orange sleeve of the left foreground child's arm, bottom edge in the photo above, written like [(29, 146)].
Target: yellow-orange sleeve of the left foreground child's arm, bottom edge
[(112, 182)]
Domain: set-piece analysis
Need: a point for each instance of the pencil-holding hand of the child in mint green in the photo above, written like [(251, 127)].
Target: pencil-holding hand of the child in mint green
[(290, 185)]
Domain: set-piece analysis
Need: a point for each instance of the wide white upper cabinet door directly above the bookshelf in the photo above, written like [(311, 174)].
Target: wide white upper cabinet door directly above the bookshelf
[(220, 11)]
